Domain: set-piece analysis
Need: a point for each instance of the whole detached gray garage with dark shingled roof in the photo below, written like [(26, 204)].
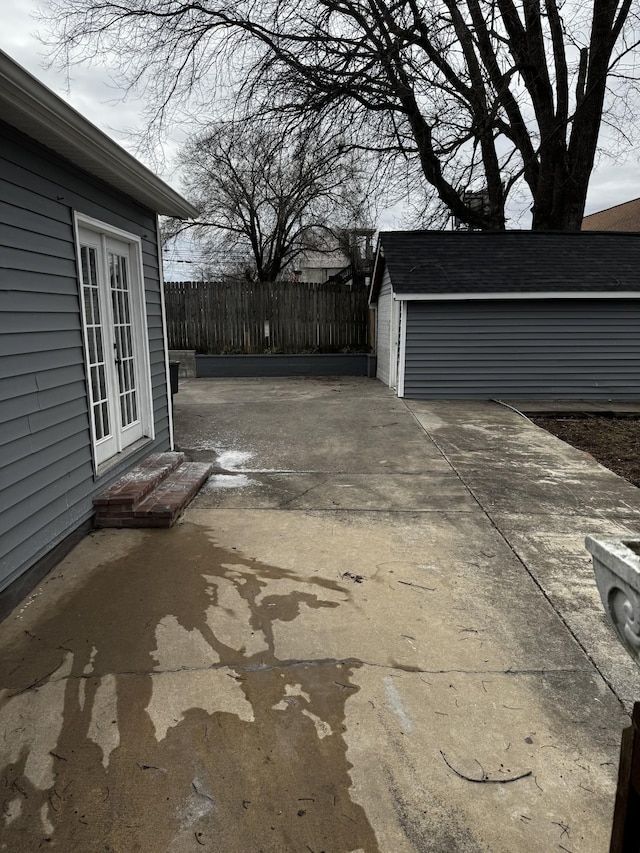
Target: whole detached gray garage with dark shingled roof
[(517, 314)]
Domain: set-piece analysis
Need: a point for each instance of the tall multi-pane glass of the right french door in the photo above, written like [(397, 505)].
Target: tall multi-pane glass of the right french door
[(120, 300)]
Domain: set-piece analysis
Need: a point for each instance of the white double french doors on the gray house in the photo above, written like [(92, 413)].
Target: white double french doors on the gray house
[(116, 348)]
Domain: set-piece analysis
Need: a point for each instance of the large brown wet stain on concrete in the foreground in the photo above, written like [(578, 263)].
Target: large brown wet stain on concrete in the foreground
[(105, 750)]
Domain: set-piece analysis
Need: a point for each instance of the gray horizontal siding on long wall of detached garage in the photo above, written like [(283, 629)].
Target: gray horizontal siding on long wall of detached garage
[(523, 349)]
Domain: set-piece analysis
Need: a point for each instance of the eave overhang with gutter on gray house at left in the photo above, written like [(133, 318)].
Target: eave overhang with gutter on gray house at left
[(32, 108)]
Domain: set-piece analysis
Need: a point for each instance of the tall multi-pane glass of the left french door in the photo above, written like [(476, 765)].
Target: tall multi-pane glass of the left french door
[(93, 320)]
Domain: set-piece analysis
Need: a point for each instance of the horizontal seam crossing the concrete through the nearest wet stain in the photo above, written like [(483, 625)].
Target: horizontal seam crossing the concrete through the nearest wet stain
[(293, 665)]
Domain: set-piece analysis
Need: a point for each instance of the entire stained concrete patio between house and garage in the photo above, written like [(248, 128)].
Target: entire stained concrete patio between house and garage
[(376, 629)]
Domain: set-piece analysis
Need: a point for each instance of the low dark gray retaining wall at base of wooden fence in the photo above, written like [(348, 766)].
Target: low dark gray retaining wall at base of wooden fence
[(317, 364)]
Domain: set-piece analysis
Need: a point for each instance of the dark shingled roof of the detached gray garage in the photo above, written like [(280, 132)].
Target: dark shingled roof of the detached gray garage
[(439, 262)]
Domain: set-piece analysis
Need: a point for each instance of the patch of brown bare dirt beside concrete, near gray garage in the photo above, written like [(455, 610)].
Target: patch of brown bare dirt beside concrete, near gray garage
[(614, 441)]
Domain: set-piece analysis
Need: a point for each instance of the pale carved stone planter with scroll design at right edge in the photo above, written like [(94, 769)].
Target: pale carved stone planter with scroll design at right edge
[(616, 564)]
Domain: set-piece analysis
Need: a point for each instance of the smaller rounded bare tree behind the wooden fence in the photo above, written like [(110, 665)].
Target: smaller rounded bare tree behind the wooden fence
[(268, 196)]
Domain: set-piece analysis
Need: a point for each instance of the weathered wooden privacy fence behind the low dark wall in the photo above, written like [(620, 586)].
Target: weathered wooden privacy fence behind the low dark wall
[(285, 316)]
